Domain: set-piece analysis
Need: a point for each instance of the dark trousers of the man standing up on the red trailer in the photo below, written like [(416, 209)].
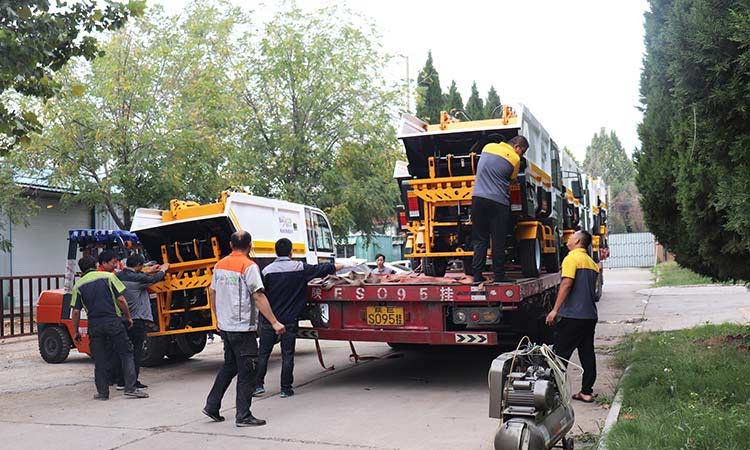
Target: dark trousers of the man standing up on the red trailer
[(489, 220)]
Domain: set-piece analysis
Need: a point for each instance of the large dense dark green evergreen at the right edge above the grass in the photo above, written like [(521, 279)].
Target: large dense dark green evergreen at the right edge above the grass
[(694, 164)]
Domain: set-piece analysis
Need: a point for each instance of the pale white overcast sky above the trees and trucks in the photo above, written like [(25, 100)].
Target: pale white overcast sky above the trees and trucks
[(576, 64)]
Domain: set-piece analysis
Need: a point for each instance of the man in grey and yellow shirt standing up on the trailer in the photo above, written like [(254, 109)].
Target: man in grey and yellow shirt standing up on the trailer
[(490, 204)]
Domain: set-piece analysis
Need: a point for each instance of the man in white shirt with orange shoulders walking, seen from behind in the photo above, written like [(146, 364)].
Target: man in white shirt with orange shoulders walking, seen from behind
[(236, 297)]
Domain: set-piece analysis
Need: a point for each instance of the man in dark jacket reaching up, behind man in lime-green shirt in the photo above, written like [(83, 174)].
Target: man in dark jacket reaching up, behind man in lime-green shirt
[(136, 284)]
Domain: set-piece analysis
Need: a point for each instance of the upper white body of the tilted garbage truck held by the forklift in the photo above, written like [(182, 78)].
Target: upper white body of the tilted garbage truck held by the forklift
[(267, 220)]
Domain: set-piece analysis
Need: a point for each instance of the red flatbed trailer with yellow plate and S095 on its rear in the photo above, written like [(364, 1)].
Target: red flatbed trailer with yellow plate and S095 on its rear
[(432, 313)]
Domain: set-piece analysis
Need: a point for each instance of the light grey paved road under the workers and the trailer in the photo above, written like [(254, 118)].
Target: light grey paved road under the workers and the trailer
[(434, 399)]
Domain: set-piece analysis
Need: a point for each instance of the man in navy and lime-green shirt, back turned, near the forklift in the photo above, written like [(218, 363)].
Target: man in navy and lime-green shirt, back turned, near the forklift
[(100, 293)]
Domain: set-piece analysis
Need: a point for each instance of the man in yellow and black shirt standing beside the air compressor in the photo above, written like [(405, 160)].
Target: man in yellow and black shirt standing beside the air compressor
[(576, 308)]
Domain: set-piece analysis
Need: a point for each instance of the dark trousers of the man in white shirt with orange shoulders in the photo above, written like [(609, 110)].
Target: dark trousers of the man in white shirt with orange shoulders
[(240, 353)]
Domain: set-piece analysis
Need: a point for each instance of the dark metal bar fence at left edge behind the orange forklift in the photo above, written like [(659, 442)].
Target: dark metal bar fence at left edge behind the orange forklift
[(19, 296)]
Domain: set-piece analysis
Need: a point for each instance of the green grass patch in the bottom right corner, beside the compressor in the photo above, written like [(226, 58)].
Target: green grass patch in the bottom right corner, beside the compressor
[(687, 389)]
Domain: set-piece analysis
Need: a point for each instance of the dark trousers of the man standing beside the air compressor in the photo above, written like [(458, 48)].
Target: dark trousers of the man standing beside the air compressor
[(572, 334)]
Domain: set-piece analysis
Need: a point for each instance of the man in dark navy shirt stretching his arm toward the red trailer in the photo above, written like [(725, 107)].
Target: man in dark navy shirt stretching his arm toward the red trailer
[(286, 288)]
